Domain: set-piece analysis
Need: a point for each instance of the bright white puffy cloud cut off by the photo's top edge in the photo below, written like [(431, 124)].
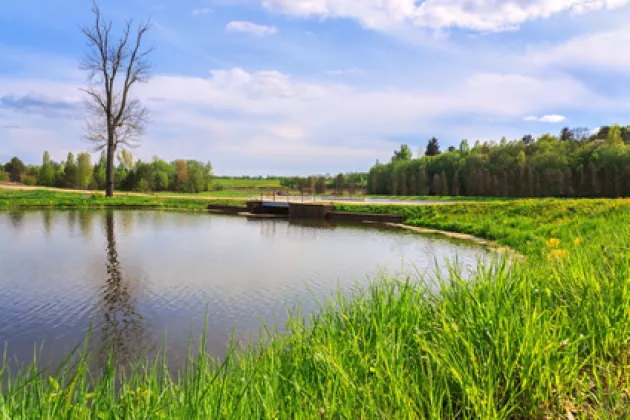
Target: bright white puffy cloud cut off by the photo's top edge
[(478, 15)]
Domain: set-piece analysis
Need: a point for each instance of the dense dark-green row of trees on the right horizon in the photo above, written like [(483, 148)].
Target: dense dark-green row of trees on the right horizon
[(574, 164)]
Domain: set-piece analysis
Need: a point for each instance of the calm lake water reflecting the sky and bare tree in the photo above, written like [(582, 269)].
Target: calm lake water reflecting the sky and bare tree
[(142, 278)]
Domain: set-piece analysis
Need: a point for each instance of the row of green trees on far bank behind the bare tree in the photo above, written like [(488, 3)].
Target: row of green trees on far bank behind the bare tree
[(158, 175)]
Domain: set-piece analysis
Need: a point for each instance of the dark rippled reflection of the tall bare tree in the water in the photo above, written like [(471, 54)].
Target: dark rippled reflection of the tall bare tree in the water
[(121, 325)]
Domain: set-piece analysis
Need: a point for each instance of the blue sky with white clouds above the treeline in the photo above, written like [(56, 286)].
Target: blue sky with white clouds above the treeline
[(297, 87)]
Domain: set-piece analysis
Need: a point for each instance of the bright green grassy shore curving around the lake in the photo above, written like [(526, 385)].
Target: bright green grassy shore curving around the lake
[(546, 338)]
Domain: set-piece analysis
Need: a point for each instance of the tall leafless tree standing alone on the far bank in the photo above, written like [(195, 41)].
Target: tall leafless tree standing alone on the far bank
[(114, 67)]
